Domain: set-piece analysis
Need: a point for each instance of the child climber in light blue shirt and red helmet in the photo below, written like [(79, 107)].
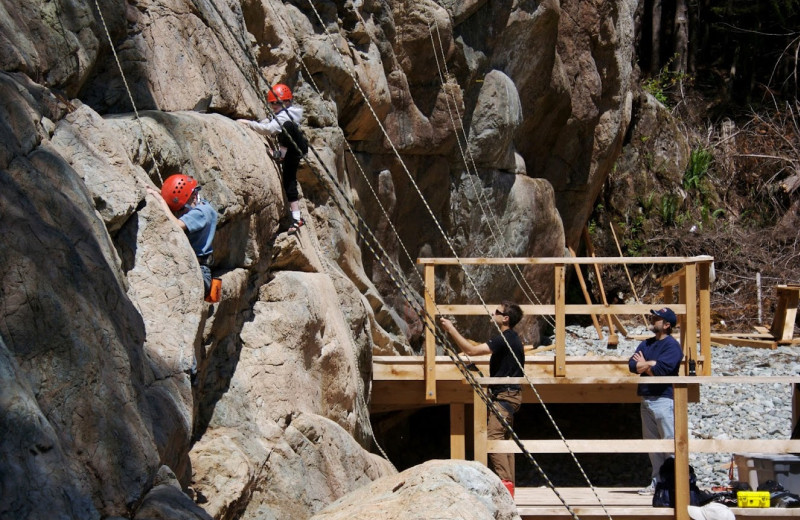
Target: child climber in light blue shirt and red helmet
[(195, 216)]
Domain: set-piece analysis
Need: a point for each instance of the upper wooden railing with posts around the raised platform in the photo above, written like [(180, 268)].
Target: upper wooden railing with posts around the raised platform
[(692, 306)]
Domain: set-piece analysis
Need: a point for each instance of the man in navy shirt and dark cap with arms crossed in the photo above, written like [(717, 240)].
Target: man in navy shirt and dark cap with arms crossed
[(660, 355)]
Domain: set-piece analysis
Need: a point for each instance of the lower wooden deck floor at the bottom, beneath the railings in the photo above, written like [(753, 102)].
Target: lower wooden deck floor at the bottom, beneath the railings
[(619, 502)]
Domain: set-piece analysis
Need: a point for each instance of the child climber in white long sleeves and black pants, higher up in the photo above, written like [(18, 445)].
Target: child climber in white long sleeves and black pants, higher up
[(293, 145)]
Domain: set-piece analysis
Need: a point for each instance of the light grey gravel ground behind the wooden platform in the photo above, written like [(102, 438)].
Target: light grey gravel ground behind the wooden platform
[(730, 411)]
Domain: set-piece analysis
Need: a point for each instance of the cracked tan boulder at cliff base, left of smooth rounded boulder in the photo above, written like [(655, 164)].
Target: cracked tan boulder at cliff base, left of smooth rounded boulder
[(291, 468)]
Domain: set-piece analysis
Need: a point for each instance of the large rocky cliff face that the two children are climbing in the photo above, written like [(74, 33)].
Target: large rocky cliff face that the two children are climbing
[(122, 391)]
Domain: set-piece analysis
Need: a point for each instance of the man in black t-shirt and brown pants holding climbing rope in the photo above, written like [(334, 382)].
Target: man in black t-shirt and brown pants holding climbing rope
[(502, 363)]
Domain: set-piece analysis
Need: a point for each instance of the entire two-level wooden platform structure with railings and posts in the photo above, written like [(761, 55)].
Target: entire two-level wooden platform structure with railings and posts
[(416, 381)]
